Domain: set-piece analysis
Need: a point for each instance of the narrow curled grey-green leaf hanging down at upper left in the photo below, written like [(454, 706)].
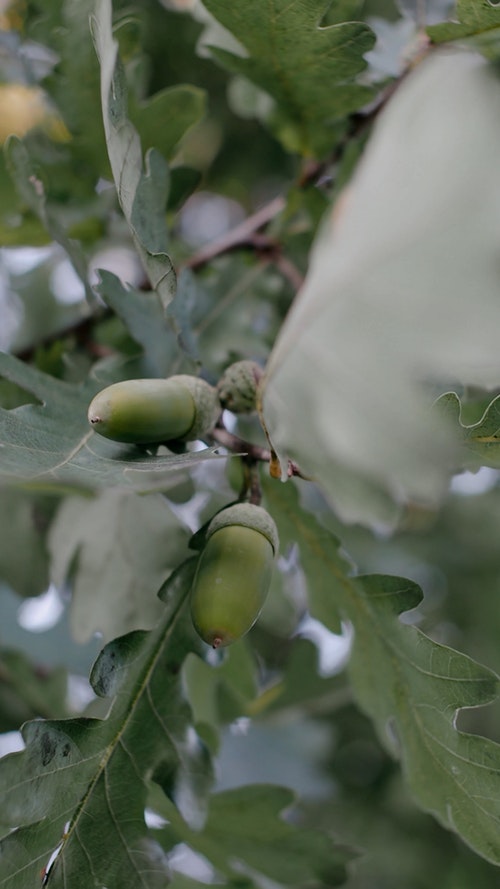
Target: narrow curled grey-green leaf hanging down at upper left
[(142, 192)]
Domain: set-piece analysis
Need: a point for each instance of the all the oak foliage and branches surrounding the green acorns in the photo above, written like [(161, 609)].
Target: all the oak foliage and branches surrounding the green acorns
[(398, 304)]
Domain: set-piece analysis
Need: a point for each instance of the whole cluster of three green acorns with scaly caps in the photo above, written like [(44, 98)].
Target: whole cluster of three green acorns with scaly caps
[(235, 566)]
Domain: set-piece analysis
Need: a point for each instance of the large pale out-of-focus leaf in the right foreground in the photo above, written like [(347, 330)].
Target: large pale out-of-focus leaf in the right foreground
[(385, 318)]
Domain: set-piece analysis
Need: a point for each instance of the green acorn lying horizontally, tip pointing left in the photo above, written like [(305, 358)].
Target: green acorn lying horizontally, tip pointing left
[(180, 408)]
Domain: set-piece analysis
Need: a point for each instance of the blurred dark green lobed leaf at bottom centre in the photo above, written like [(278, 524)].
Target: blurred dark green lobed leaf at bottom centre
[(245, 832)]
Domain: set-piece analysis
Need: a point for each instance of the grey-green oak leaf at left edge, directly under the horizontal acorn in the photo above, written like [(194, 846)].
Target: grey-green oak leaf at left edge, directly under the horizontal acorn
[(52, 444)]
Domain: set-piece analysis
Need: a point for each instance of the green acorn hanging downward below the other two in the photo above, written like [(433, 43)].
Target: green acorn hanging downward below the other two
[(234, 573)]
